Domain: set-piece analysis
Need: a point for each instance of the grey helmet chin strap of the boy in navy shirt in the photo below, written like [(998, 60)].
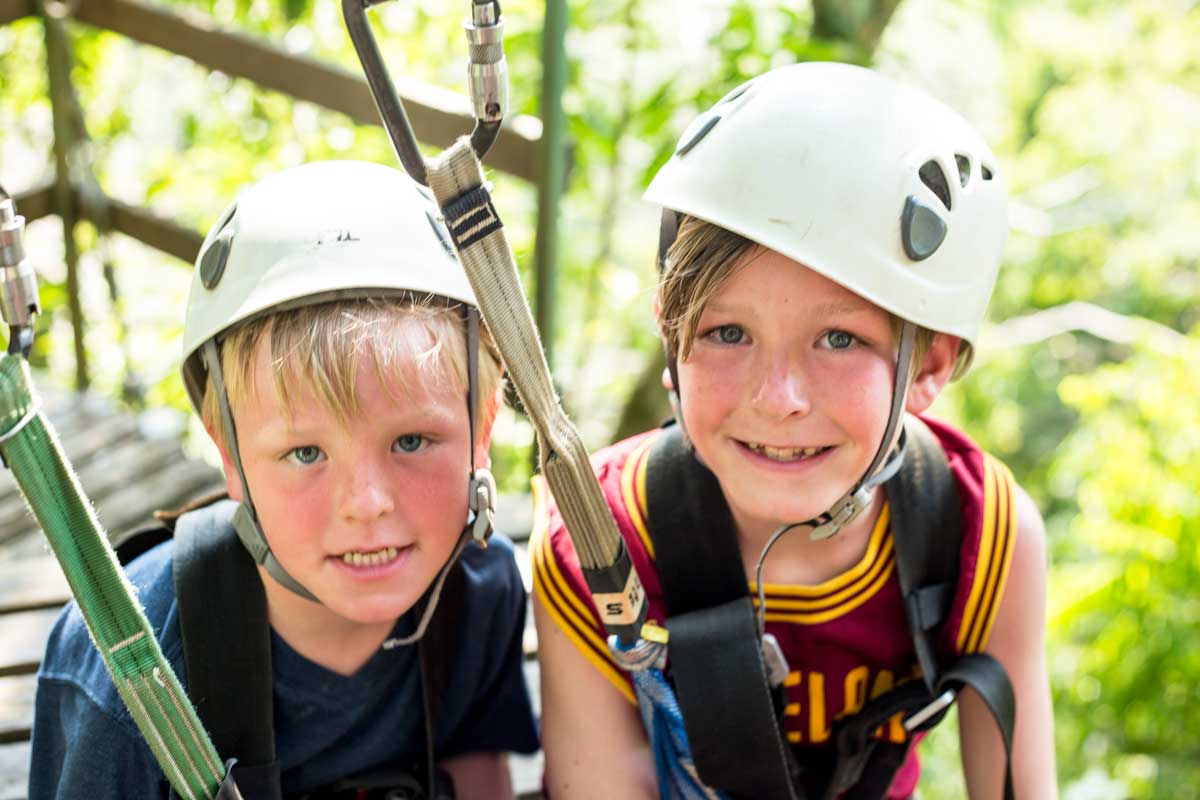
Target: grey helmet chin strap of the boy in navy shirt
[(481, 490)]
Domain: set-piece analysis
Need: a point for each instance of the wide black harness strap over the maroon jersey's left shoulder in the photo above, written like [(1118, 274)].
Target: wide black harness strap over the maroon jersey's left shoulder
[(717, 664)]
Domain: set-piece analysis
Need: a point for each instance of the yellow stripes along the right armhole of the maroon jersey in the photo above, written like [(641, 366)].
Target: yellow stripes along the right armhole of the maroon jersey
[(997, 540)]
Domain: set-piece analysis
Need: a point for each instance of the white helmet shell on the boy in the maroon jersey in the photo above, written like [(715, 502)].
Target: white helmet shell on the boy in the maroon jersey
[(823, 163)]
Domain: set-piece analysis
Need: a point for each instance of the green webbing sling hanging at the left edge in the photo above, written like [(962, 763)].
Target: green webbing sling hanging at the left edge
[(118, 627)]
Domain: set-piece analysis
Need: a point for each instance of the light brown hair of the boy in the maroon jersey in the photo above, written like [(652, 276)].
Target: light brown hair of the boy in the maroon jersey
[(699, 263)]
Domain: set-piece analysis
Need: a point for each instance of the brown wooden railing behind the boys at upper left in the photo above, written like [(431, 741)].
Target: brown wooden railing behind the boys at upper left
[(437, 117)]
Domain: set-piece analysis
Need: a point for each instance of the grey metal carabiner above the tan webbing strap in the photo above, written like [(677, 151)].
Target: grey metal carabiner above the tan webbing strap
[(488, 79)]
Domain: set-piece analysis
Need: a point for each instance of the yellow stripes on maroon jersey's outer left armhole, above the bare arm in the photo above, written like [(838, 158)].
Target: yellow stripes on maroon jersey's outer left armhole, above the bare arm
[(563, 605)]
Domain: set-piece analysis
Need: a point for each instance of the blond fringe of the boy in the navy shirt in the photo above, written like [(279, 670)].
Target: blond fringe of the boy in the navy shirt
[(321, 348)]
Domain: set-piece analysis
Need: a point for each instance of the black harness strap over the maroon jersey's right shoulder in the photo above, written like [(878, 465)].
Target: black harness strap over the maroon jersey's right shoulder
[(927, 532)]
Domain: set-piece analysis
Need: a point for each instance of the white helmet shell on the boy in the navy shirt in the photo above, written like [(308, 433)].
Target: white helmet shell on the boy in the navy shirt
[(315, 233)]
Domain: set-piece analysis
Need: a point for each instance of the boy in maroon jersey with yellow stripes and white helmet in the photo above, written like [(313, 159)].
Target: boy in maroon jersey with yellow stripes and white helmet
[(837, 242)]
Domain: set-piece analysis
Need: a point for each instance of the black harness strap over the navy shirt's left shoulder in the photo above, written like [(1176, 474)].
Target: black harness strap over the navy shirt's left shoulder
[(227, 646)]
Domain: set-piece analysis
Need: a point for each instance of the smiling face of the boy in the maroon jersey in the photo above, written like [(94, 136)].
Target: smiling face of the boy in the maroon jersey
[(788, 389)]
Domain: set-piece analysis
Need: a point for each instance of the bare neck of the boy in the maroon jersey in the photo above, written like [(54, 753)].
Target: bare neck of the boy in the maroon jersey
[(799, 561)]
